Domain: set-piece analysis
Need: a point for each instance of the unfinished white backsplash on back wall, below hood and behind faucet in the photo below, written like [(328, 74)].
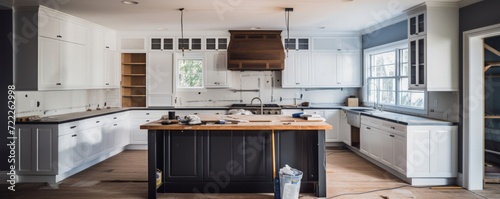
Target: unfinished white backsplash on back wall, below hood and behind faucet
[(269, 92)]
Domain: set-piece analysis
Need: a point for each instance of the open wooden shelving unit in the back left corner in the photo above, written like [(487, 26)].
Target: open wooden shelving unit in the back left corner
[(133, 84)]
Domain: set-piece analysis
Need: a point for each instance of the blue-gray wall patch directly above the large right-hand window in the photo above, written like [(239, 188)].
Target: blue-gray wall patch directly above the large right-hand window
[(385, 35)]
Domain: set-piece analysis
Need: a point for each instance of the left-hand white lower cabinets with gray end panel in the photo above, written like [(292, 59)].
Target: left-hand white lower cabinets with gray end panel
[(53, 152)]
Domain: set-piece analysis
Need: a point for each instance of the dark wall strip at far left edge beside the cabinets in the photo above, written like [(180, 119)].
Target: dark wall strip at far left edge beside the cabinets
[(5, 80)]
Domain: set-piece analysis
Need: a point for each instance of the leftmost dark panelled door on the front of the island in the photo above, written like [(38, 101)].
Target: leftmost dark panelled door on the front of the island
[(184, 147)]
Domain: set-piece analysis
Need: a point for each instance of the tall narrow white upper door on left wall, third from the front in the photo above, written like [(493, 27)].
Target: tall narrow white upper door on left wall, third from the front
[(97, 65)]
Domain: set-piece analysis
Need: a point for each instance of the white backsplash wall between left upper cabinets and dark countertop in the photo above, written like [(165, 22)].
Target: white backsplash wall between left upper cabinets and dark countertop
[(61, 102)]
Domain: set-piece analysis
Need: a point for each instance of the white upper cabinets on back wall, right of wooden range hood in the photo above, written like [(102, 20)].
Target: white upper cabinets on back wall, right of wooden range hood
[(331, 62)]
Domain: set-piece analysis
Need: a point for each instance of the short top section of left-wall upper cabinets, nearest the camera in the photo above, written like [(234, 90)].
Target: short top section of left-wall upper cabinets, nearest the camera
[(60, 28)]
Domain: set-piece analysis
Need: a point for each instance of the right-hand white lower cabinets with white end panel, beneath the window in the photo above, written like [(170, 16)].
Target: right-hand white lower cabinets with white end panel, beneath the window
[(426, 155)]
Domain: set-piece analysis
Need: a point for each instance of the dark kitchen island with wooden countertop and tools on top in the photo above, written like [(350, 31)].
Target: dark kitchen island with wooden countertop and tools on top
[(235, 158)]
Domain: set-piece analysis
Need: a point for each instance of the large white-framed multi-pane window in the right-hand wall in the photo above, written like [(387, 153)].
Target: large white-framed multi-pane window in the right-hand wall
[(386, 70)]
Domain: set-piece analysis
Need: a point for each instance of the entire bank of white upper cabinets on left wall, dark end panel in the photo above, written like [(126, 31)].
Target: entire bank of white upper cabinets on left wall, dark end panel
[(67, 53)]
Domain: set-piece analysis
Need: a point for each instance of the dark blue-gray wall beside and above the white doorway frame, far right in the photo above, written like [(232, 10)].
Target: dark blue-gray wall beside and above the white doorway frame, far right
[(481, 14)]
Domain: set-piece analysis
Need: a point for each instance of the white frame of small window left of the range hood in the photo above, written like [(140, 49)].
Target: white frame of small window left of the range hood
[(187, 55)]
